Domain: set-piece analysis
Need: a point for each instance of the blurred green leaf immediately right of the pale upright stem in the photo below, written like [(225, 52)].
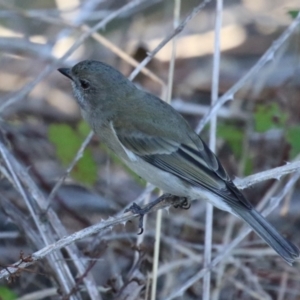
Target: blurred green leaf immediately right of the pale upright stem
[(233, 135)]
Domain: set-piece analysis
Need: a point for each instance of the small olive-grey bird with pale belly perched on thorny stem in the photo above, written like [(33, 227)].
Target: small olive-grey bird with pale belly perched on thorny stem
[(157, 143)]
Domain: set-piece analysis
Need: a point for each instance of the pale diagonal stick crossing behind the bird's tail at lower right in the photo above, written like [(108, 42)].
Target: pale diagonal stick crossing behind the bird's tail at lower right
[(226, 251)]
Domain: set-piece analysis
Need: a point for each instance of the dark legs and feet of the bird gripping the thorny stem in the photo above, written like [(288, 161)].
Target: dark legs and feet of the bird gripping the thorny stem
[(177, 201)]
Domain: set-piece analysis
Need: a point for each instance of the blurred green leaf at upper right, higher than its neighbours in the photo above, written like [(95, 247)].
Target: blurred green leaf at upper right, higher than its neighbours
[(269, 116)]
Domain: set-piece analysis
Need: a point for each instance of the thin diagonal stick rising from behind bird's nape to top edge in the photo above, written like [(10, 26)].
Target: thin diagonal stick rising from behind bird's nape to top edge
[(167, 39)]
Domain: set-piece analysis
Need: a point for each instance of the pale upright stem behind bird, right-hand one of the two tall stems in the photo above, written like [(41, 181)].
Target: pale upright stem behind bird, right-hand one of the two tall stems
[(212, 145)]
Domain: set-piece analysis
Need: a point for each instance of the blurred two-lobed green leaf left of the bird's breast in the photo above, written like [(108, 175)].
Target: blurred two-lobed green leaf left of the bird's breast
[(67, 142)]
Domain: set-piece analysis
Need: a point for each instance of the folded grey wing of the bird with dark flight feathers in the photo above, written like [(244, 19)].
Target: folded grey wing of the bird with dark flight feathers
[(192, 163)]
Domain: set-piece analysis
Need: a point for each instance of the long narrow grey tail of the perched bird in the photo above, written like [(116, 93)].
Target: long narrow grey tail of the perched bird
[(287, 250)]
